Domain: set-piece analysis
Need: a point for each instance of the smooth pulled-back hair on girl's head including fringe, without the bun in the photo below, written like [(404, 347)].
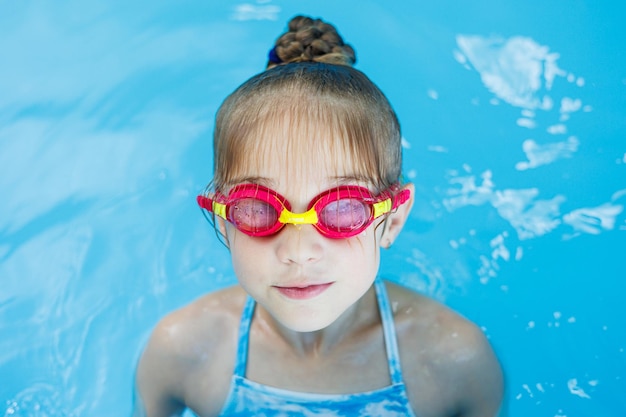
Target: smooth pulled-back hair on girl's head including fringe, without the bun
[(316, 107)]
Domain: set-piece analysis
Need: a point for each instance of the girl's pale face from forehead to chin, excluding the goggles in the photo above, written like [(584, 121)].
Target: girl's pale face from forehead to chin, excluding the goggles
[(303, 279)]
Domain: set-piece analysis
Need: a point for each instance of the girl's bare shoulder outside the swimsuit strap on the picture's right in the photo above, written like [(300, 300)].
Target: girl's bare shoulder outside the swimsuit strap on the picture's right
[(443, 354)]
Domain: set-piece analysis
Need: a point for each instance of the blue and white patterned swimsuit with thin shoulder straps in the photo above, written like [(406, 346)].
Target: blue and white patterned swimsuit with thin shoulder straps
[(248, 398)]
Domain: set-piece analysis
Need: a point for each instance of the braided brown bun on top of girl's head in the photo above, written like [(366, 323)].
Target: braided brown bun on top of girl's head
[(311, 40)]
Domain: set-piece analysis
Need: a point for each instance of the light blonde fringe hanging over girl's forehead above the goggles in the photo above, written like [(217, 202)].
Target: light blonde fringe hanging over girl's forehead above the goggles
[(292, 133)]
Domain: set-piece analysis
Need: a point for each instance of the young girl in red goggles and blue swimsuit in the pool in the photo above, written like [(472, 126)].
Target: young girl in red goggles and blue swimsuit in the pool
[(306, 191)]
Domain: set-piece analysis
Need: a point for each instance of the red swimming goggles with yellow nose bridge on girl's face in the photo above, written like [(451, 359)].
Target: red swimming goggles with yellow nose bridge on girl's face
[(340, 212)]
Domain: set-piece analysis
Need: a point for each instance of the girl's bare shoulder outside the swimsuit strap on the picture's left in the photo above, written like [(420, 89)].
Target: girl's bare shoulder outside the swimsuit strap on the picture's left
[(190, 350)]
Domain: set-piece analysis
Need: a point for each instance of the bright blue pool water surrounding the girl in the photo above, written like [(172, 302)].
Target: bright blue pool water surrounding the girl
[(514, 118)]
